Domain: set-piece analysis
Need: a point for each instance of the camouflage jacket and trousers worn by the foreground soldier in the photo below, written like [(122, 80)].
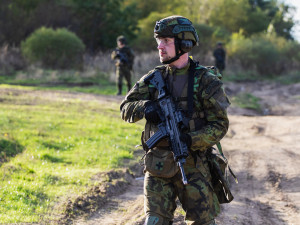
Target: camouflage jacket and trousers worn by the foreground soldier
[(208, 125)]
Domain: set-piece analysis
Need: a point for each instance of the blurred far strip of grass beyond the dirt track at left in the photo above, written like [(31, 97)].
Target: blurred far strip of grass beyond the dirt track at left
[(71, 81)]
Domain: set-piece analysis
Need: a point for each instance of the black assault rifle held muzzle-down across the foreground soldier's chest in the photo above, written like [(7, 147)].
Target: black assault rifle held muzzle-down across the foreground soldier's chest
[(172, 123)]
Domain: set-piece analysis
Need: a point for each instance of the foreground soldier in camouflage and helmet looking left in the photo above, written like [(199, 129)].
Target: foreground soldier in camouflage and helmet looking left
[(190, 85)]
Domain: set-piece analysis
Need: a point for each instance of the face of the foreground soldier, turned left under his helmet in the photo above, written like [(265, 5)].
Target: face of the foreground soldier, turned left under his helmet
[(166, 48)]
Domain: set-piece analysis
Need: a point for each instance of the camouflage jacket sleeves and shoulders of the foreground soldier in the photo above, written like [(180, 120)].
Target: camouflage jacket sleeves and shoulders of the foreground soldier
[(210, 104)]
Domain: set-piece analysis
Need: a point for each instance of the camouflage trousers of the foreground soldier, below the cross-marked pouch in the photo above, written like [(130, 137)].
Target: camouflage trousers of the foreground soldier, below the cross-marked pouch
[(197, 197)]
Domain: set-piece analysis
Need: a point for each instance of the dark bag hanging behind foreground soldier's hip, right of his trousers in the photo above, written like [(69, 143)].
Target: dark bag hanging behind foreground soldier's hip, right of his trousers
[(218, 166)]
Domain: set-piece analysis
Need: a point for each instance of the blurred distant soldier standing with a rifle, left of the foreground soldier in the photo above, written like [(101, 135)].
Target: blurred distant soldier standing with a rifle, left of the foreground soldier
[(124, 57)]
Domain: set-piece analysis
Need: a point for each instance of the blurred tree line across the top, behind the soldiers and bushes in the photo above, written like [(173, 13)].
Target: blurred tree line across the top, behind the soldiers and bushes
[(98, 22)]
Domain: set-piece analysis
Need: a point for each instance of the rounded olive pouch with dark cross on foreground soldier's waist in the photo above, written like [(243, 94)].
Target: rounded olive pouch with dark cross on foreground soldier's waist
[(160, 163)]
